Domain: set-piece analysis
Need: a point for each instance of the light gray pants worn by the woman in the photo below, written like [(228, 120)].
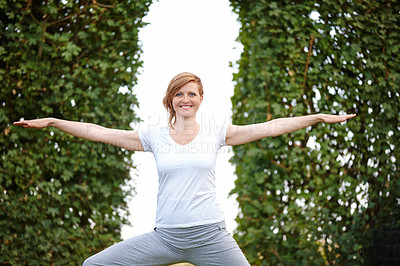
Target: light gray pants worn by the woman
[(207, 245)]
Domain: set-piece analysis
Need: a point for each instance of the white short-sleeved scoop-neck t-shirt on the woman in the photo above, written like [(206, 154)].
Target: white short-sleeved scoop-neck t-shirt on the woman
[(186, 194)]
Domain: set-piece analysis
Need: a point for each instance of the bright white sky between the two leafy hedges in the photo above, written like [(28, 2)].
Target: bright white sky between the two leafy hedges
[(197, 36)]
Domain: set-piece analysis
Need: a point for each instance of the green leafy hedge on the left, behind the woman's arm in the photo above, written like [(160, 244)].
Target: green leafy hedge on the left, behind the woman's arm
[(62, 197)]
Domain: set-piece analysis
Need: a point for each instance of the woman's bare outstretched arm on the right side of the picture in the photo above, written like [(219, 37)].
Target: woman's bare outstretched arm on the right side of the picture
[(237, 135)]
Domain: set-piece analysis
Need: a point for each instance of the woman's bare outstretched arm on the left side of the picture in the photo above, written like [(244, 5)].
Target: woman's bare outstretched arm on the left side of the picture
[(127, 139)]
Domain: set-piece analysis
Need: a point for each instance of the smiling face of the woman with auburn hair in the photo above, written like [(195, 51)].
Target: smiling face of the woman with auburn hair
[(187, 100)]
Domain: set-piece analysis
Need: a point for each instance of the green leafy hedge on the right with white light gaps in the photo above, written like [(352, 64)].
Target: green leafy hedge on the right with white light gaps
[(317, 196)]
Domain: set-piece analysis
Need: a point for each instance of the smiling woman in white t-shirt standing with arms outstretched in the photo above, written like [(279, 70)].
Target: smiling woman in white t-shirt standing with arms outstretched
[(189, 222)]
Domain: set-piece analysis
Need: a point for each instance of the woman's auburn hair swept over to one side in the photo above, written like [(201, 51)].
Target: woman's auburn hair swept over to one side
[(174, 86)]
